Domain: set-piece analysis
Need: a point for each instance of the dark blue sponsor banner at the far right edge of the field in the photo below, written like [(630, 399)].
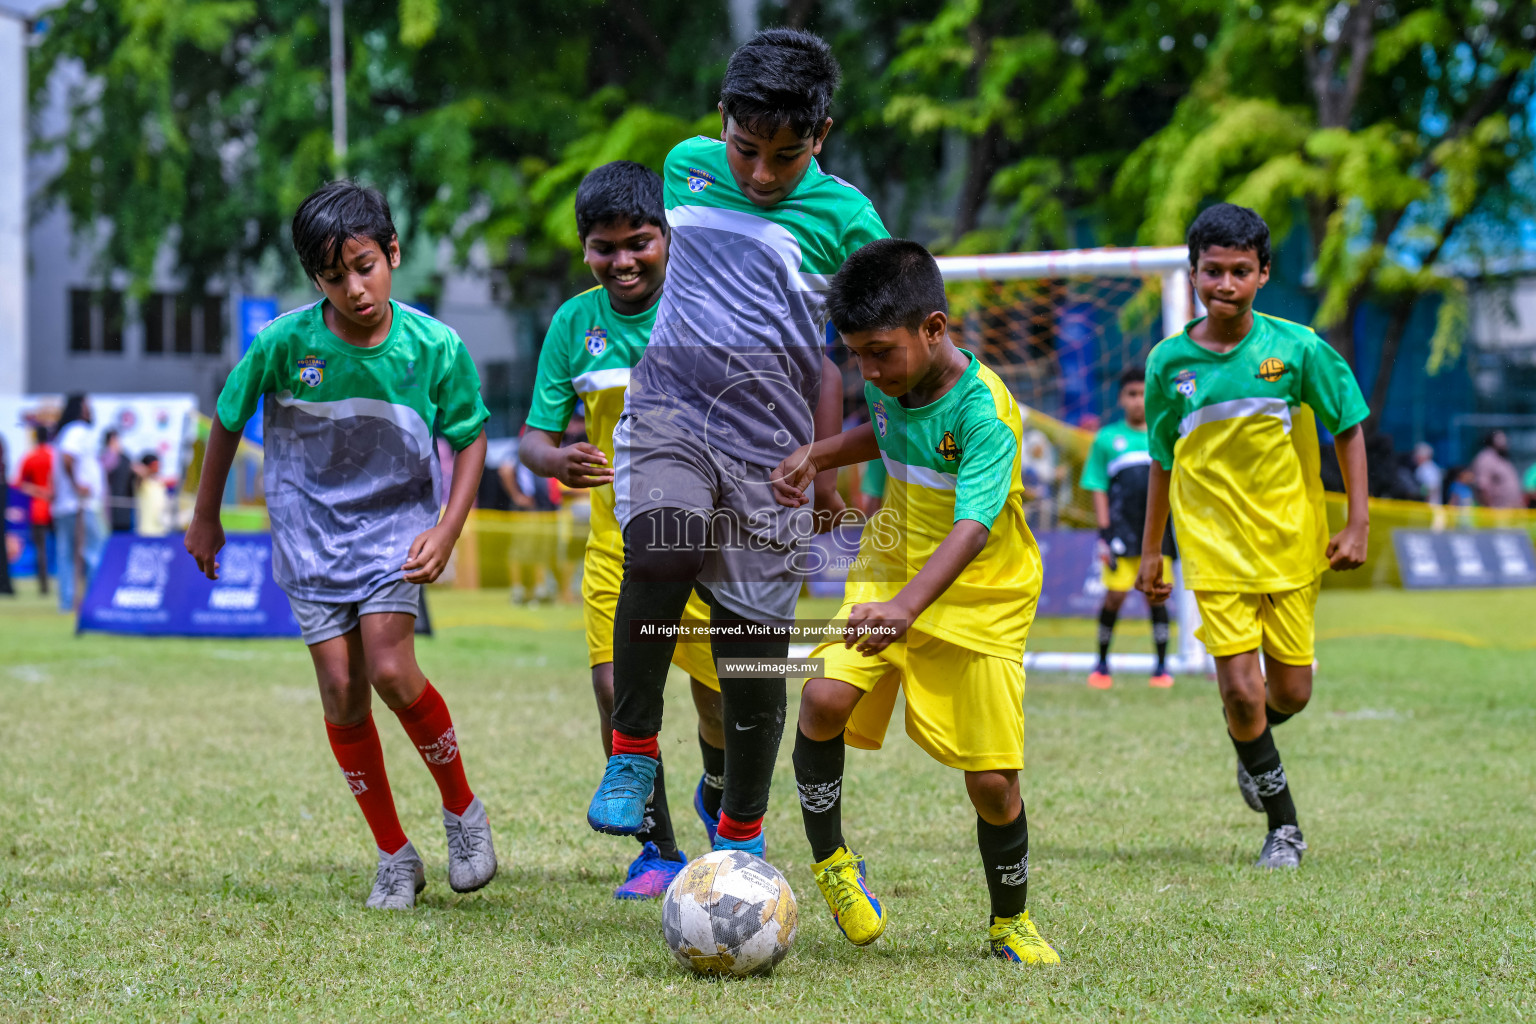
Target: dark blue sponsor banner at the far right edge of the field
[(1429, 560)]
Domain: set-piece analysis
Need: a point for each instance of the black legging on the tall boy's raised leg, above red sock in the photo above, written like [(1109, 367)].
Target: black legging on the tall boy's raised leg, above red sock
[(657, 586)]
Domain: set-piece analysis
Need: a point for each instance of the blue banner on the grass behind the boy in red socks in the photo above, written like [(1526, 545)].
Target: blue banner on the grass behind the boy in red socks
[(153, 587)]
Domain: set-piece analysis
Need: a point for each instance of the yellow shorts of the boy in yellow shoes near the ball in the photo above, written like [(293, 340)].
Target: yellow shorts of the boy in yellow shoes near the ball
[(967, 710)]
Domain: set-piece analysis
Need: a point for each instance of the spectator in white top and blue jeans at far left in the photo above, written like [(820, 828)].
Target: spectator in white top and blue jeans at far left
[(79, 491)]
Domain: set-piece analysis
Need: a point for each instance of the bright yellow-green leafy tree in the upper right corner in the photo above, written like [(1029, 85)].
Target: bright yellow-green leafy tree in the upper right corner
[(1397, 133)]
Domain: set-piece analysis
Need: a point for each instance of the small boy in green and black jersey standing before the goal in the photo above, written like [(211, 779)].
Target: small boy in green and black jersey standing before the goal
[(1116, 474)]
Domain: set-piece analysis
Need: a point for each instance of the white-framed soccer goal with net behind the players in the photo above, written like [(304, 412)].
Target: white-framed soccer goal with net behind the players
[(1059, 328)]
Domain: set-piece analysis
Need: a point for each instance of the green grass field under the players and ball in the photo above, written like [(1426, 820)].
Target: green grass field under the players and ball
[(176, 842)]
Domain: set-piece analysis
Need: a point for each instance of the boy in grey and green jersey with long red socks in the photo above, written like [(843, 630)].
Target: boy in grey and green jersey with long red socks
[(356, 386)]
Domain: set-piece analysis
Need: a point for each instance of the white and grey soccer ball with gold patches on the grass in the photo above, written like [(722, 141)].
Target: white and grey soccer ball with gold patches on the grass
[(729, 914)]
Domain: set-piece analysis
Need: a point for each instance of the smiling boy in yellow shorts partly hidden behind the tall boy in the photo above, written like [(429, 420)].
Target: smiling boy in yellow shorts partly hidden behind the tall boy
[(589, 351)]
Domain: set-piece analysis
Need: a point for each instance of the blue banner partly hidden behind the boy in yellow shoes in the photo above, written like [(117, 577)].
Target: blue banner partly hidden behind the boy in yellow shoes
[(1073, 589)]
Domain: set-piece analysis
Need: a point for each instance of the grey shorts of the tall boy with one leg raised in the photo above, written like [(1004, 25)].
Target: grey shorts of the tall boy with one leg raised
[(756, 555)]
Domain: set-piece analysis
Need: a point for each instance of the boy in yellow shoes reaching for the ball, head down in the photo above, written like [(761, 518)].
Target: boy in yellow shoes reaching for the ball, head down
[(942, 595)]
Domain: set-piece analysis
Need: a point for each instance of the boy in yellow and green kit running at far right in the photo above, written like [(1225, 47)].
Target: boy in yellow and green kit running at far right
[(1231, 411)]
